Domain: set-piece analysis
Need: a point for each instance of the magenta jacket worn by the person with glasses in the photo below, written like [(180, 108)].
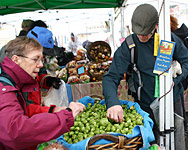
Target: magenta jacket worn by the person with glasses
[(17, 130)]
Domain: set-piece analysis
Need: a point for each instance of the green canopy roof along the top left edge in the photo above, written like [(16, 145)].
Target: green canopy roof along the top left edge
[(17, 6)]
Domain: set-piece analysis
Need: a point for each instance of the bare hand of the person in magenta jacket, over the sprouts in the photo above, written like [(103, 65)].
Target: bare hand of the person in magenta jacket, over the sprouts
[(76, 108)]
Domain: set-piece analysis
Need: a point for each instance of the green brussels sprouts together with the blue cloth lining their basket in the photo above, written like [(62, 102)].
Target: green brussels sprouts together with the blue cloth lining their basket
[(93, 121)]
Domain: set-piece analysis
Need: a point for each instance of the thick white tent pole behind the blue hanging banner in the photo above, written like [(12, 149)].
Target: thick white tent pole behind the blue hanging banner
[(166, 110)]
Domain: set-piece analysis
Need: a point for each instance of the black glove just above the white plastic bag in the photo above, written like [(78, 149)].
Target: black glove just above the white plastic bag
[(53, 81)]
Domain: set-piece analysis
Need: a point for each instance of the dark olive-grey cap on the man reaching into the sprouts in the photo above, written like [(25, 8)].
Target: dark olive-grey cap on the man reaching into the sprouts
[(144, 19)]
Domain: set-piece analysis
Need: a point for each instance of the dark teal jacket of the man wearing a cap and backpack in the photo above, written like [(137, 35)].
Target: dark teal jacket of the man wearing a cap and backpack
[(145, 63)]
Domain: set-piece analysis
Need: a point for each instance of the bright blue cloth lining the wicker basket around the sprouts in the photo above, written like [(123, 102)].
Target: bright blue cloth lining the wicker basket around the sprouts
[(145, 131)]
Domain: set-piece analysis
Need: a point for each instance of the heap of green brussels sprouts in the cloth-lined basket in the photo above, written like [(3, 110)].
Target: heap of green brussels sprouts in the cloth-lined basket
[(93, 121)]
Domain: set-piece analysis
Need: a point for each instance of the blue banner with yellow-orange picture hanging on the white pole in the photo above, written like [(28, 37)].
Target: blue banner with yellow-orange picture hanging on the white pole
[(164, 57)]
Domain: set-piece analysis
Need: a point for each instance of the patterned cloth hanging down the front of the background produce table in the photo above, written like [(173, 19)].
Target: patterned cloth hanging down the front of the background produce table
[(95, 88)]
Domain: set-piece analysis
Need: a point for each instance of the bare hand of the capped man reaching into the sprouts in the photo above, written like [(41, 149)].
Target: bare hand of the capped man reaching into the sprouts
[(115, 113)]
